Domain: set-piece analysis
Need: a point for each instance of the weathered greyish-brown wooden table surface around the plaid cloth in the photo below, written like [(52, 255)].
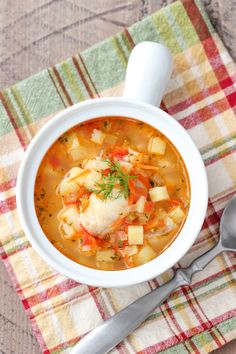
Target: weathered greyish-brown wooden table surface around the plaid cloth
[(36, 34)]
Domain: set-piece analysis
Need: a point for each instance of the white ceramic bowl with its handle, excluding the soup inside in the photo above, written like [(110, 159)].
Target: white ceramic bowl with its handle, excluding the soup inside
[(132, 107)]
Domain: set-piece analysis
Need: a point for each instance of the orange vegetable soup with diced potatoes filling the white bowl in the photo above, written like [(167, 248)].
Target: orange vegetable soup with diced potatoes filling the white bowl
[(112, 193)]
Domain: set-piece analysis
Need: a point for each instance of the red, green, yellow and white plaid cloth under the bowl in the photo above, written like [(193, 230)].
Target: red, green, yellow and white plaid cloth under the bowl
[(201, 95)]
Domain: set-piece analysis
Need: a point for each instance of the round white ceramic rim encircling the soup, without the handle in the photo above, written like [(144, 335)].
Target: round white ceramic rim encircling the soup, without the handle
[(74, 115)]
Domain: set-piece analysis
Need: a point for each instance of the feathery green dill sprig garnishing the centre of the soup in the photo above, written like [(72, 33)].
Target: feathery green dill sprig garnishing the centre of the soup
[(109, 181)]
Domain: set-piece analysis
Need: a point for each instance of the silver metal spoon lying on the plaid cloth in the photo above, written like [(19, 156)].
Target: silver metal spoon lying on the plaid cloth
[(106, 336)]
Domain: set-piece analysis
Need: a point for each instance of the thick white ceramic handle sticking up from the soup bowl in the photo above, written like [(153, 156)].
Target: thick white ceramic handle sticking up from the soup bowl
[(148, 72)]
